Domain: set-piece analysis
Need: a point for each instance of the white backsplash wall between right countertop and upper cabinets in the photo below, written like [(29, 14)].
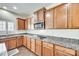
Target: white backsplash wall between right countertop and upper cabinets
[(66, 33)]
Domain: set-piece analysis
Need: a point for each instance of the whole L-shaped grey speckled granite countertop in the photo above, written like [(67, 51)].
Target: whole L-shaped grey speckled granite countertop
[(65, 42)]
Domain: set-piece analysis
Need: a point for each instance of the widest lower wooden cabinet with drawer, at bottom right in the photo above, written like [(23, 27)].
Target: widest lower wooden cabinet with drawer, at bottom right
[(61, 51)]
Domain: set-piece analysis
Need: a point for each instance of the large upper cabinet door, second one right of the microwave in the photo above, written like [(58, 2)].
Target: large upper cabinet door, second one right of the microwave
[(60, 16)]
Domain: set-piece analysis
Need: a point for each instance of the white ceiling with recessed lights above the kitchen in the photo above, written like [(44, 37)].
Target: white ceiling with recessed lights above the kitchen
[(24, 9)]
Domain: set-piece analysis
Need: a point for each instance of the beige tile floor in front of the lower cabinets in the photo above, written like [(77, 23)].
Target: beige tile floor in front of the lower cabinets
[(24, 52)]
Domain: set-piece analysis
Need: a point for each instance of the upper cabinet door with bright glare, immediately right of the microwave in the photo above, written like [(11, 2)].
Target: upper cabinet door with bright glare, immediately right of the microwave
[(49, 19)]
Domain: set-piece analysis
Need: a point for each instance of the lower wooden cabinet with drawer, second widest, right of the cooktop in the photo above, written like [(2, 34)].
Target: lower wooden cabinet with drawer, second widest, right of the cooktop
[(48, 49)]
